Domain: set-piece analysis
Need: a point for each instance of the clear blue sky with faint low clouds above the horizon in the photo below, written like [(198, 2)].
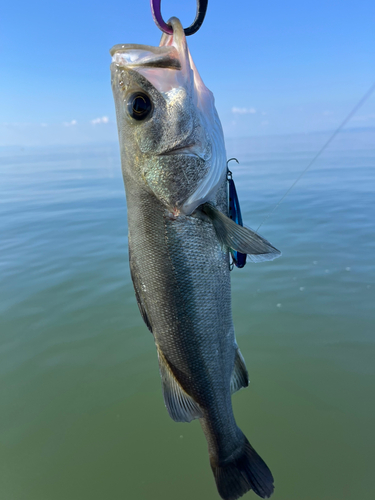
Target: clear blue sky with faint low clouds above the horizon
[(274, 67)]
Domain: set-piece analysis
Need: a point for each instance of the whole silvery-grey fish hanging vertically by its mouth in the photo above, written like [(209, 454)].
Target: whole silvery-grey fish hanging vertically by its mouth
[(180, 235)]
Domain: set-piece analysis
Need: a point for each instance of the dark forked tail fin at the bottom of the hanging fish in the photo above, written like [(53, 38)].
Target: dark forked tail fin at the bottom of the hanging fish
[(245, 472)]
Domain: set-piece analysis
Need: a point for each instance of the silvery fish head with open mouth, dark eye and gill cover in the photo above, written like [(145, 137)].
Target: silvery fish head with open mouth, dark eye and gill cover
[(170, 135)]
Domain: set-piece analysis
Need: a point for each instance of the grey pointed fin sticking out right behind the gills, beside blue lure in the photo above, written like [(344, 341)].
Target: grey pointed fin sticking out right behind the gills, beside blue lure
[(239, 238)]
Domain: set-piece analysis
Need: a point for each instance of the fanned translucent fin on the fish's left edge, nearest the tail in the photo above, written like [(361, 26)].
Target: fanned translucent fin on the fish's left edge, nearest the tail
[(181, 407)]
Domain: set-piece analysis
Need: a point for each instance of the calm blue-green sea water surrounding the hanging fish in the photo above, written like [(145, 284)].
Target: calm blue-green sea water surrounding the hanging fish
[(82, 414)]
